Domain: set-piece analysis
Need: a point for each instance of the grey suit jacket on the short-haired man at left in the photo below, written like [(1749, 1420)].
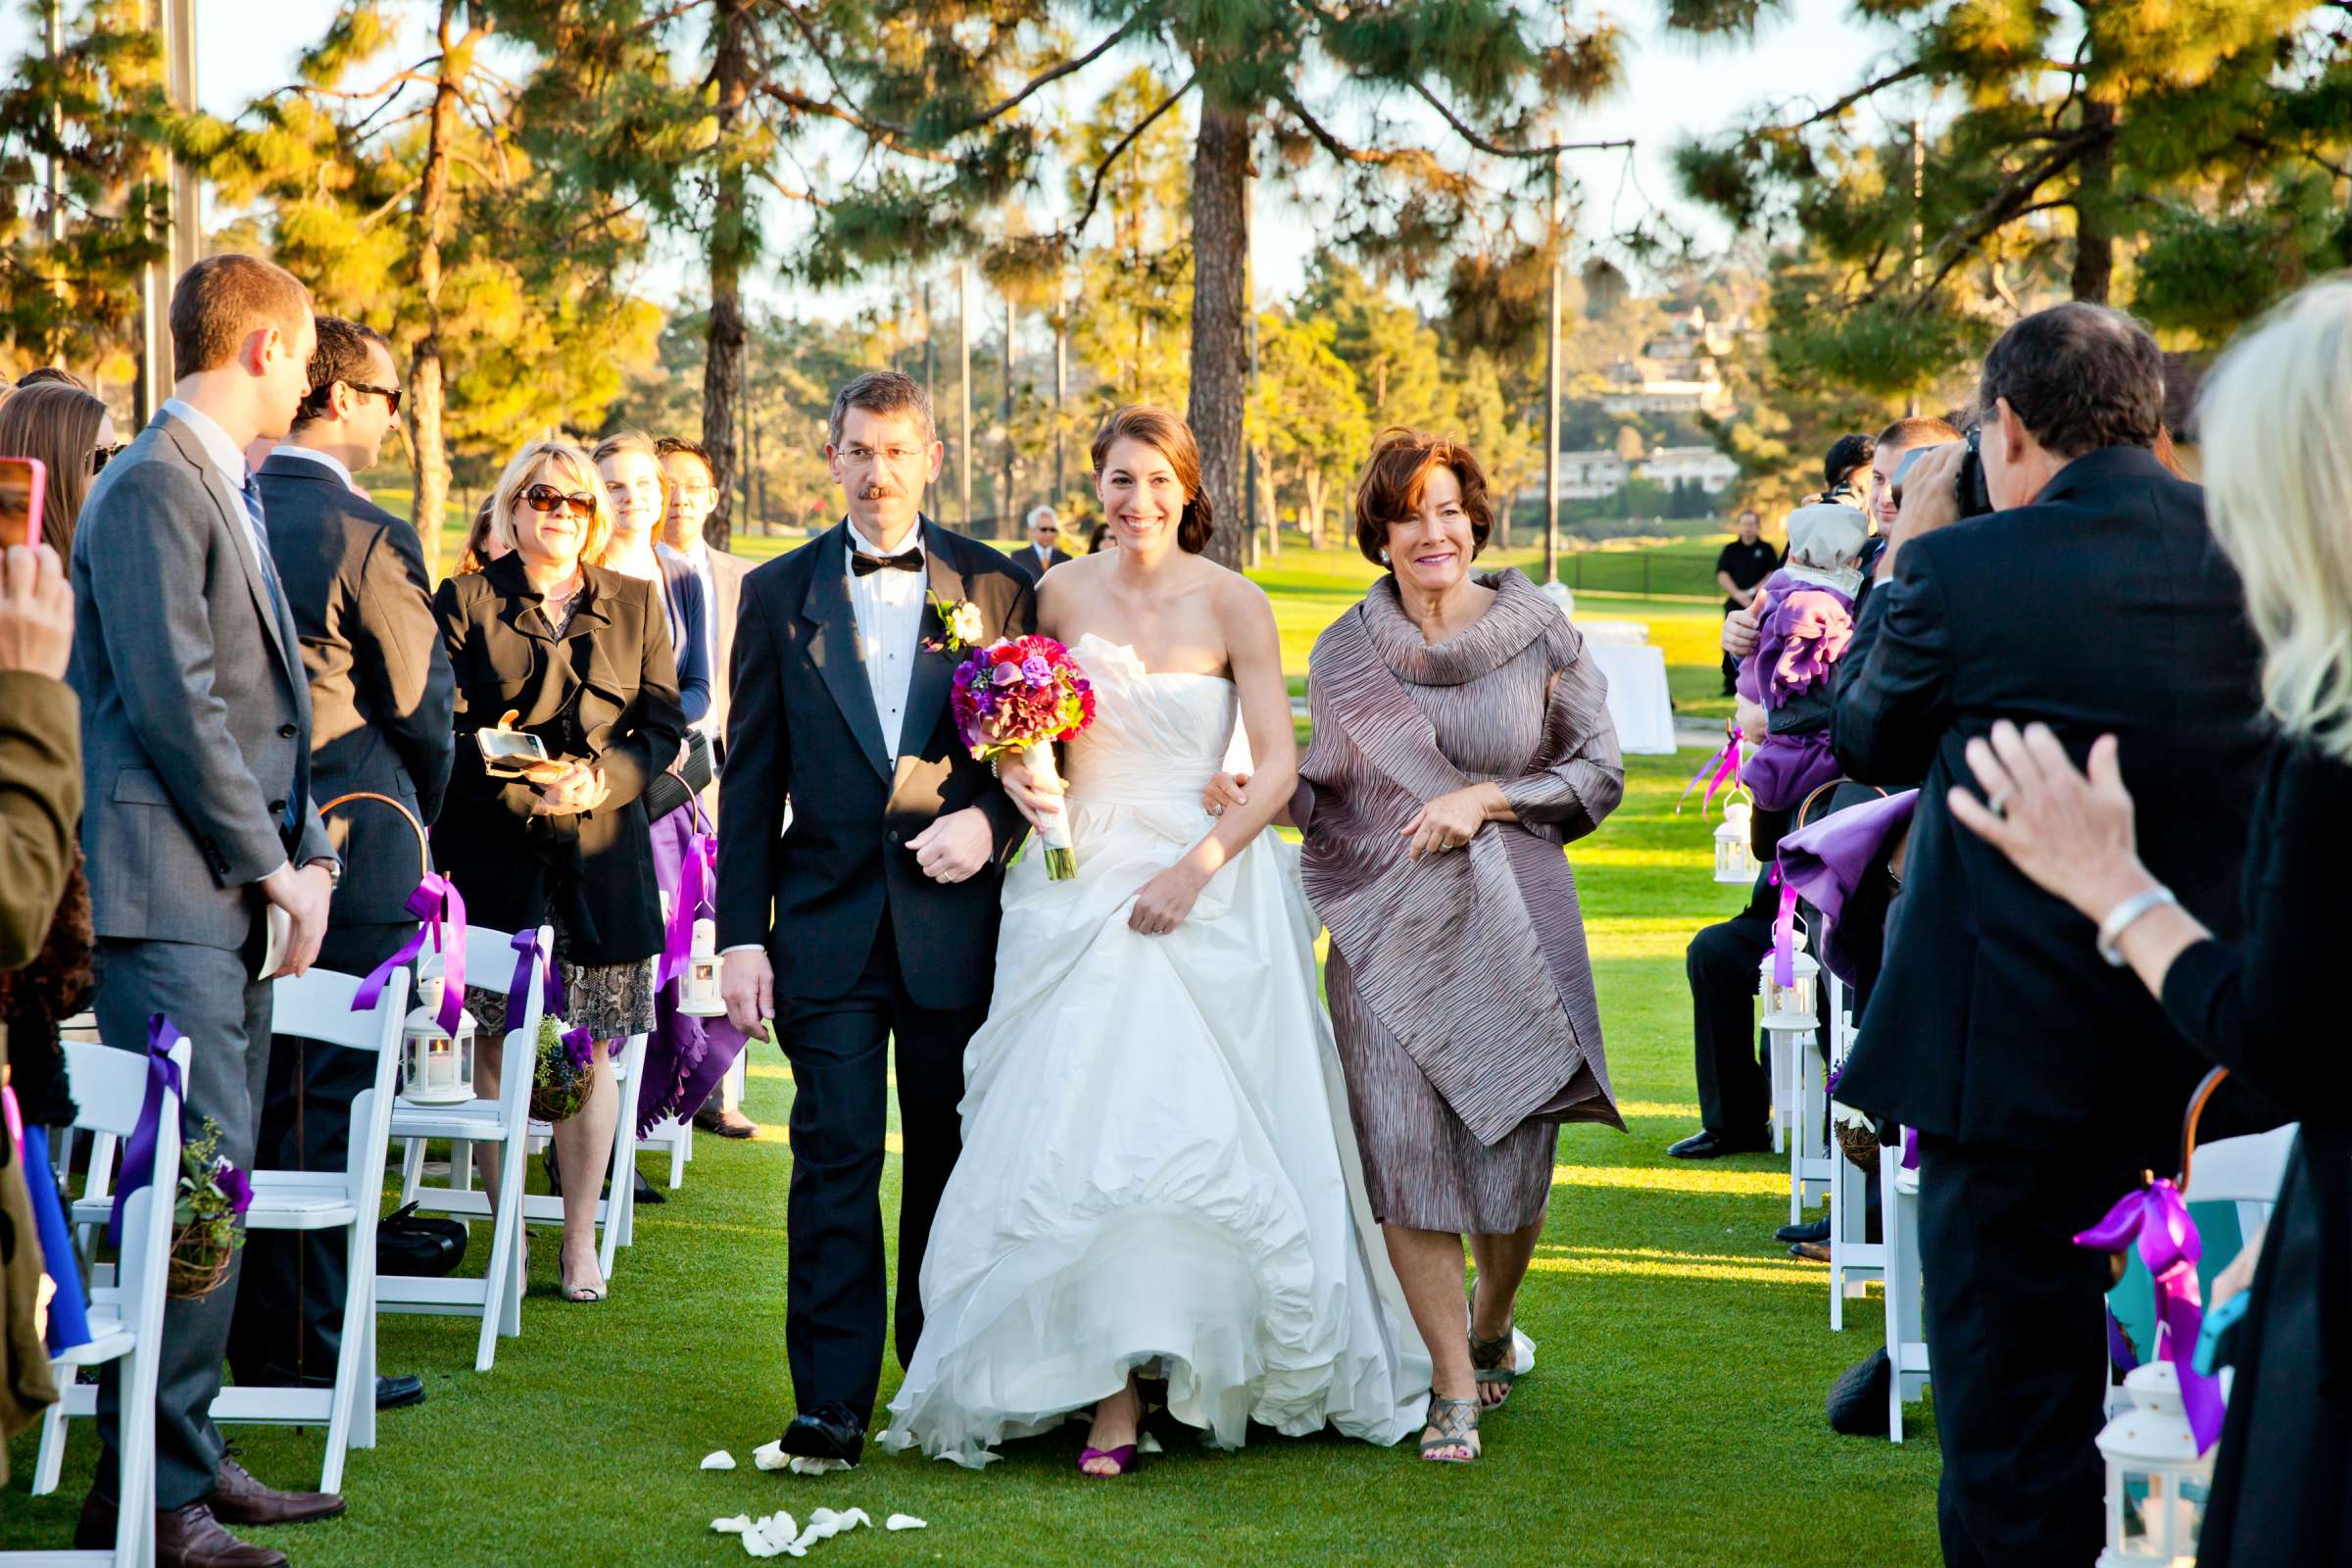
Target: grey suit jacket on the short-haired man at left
[(196, 716)]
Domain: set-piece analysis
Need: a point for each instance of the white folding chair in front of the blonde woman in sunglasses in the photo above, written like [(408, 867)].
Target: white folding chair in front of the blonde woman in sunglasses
[(505, 1125)]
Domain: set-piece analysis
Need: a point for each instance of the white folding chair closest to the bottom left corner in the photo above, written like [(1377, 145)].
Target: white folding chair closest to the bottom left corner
[(126, 1320)]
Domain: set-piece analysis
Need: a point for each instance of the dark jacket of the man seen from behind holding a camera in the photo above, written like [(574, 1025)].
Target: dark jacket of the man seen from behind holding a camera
[(2104, 608)]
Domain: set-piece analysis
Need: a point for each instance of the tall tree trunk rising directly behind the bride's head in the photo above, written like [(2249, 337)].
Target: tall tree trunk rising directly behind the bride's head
[(1222, 319)]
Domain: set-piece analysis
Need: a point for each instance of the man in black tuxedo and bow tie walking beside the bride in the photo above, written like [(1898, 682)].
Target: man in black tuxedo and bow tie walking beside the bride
[(876, 913)]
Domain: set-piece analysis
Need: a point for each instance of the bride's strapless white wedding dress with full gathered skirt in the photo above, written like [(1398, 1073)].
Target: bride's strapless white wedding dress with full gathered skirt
[(1158, 1162)]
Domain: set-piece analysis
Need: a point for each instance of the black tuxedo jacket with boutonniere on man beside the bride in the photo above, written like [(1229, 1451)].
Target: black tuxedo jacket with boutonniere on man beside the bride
[(803, 730)]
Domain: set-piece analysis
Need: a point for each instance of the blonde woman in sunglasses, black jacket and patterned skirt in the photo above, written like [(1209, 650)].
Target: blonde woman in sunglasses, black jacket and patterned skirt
[(582, 659)]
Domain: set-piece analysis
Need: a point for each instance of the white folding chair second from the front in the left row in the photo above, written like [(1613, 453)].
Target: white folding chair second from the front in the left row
[(349, 1200)]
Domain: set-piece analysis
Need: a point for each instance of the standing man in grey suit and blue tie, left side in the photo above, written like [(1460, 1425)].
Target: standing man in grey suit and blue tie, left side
[(196, 760)]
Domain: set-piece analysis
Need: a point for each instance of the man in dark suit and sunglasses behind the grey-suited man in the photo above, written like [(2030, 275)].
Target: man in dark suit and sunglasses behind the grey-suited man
[(380, 723)]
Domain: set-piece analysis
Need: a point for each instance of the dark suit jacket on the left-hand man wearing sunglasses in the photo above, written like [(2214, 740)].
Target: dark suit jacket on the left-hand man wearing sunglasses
[(380, 678)]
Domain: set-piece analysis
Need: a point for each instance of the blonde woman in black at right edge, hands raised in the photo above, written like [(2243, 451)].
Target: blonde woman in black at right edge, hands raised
[(2280, 502)]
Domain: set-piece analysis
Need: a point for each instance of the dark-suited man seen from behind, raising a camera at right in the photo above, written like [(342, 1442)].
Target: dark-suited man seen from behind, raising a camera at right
[(2043, 1083)]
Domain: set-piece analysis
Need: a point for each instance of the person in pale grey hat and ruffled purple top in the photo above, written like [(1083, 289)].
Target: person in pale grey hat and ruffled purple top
[(1805, 631)]
